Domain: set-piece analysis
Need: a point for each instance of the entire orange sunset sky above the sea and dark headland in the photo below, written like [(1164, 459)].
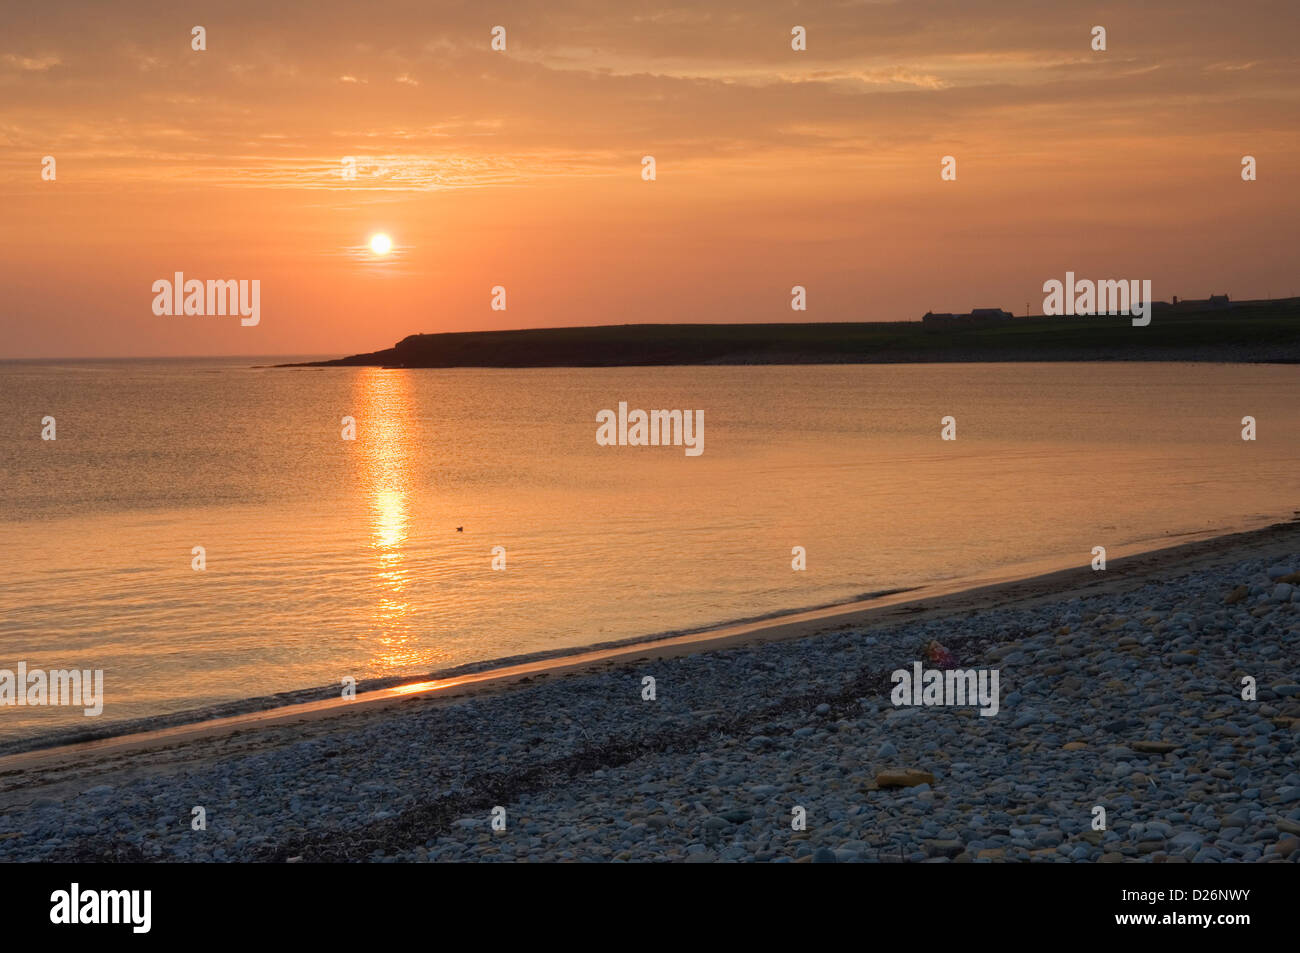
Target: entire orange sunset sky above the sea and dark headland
[(523, 168)]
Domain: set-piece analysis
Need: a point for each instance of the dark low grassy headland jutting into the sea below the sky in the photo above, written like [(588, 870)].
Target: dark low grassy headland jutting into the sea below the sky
[(1251, 332)]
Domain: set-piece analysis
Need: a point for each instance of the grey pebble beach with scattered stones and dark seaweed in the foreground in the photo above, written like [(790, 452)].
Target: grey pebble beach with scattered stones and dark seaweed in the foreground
[(1128, 701)]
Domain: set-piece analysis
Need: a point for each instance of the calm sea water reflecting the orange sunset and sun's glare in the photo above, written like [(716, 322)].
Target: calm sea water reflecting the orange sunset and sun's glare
[(328, 558)]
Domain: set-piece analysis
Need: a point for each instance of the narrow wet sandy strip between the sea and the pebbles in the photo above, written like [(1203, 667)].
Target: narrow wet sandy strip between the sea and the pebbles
[(1022, 584)]
